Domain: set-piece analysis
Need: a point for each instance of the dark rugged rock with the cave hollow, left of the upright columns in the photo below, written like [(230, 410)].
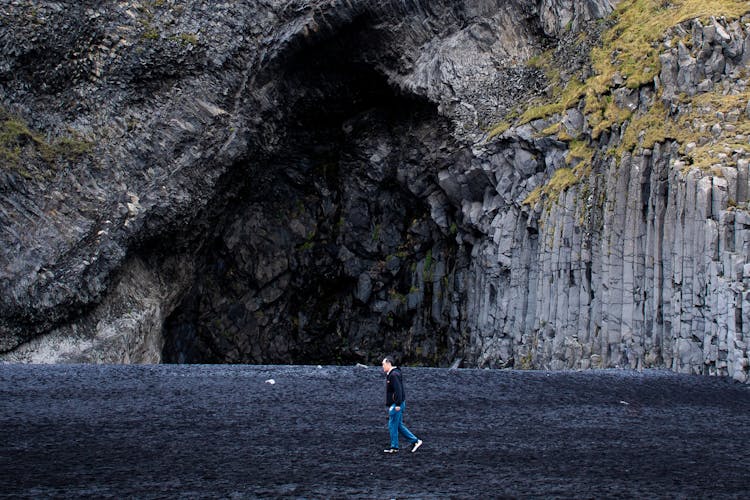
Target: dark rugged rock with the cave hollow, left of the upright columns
[(187, 114)]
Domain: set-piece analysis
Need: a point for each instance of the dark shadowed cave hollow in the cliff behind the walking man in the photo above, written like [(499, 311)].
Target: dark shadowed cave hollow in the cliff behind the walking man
[(327, 253)]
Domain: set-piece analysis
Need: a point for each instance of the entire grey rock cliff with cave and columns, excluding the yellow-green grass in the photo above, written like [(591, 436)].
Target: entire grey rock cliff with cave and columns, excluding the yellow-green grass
[(311, 181)]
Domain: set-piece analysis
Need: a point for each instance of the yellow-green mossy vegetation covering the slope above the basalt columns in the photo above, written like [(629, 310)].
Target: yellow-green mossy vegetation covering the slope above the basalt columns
[(627, 60)]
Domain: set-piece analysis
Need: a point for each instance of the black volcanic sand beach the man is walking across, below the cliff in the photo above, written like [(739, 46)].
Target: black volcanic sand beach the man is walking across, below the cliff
[(223, 431)]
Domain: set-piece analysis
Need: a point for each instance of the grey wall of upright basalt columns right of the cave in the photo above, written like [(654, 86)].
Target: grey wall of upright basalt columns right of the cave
[(644, 261)]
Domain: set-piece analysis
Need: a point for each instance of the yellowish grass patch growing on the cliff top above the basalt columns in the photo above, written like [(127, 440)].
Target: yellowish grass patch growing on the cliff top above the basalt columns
[(629, 57)]
